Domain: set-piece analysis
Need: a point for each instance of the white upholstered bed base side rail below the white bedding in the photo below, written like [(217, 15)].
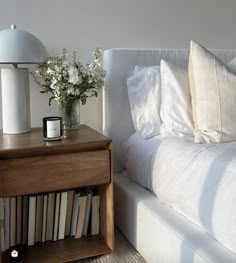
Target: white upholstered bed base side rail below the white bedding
[(158, 232)]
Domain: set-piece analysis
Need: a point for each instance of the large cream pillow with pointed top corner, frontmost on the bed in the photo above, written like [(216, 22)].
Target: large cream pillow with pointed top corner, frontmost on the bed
[(213, 91)]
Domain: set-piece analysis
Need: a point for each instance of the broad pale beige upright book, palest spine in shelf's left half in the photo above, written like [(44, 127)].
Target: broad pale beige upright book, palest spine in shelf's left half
[(31, 224)]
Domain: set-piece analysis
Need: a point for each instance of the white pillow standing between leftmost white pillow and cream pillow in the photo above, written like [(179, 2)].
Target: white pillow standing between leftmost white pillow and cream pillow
[(176, 109)]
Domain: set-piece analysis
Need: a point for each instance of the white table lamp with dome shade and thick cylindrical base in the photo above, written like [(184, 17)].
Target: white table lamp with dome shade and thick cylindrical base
[(17, 47)]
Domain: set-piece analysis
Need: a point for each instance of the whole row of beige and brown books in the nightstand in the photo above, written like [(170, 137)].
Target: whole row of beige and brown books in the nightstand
[(48, 217)]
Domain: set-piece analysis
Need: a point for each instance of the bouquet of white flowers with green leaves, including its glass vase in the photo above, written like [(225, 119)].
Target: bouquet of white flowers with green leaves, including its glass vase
[(70, 82)]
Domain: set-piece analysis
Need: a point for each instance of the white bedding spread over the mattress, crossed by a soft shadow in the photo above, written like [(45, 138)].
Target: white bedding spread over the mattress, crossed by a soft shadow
[(198, 180)]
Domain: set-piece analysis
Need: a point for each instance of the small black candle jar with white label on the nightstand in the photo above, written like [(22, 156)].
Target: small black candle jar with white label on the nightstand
[(52, 128)]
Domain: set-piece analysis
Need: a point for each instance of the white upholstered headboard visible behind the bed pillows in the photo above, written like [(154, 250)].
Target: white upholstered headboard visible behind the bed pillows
[(119, 65)]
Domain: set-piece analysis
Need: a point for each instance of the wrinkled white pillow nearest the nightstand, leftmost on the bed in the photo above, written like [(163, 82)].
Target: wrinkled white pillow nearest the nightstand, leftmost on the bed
[(144, 97)]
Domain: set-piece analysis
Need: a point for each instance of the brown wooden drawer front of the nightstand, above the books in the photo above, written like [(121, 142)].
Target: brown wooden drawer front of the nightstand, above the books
[(50, 173)]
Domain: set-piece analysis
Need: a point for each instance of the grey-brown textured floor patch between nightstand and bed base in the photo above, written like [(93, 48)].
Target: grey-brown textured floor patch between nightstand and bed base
[(123, 253)]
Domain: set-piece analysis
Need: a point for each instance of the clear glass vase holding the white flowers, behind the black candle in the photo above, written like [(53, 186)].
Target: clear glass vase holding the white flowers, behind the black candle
[(70, 113)]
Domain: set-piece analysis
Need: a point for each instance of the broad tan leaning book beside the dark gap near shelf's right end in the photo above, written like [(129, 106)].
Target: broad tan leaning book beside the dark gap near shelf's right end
[(81, 215)]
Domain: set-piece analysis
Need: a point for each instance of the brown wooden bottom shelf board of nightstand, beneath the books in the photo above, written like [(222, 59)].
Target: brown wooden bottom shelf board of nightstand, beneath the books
[(62, 251)]
